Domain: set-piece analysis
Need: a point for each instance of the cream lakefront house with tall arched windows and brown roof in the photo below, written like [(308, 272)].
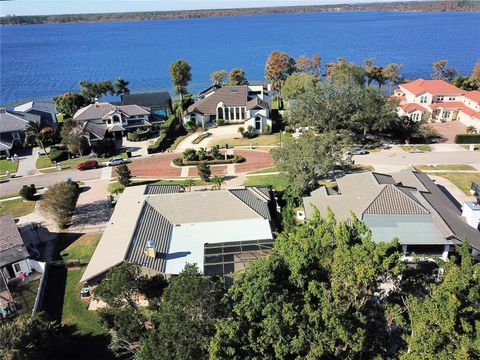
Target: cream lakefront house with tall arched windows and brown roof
[(241, 104)]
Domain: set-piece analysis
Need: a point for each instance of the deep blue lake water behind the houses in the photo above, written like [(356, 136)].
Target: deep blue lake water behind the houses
[(46, 60)]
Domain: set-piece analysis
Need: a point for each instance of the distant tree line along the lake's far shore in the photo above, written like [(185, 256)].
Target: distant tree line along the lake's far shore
[(463, 5)]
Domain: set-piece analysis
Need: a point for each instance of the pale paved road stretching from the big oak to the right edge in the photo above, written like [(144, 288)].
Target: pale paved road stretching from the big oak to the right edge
[(399, 157)]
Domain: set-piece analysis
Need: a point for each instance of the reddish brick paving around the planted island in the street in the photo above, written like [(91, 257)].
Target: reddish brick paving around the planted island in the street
[(160, 165)]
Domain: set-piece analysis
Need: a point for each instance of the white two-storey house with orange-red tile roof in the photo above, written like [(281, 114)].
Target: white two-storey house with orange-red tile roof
[(438, 101)]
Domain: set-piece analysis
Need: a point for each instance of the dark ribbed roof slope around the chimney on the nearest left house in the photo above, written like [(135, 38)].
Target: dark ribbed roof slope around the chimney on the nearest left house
[(152, 226)]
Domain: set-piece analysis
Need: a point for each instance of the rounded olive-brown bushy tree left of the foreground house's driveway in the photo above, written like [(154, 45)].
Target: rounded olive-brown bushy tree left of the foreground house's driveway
[(59, 201)]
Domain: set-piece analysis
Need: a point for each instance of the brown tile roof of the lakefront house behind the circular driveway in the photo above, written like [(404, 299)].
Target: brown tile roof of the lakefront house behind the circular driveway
[(230, 96)]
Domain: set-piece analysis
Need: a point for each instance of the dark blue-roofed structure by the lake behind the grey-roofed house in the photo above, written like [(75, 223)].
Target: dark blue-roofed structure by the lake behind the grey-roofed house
[(158, 103)]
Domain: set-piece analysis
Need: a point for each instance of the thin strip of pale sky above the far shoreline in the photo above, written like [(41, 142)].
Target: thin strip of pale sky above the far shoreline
[(41, 7)]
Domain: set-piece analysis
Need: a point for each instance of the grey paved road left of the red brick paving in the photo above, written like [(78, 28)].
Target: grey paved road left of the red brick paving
[(43, 180)]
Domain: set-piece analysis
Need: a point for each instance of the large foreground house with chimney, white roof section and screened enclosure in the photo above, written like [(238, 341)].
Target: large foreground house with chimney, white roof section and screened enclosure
[(161, 229)]
